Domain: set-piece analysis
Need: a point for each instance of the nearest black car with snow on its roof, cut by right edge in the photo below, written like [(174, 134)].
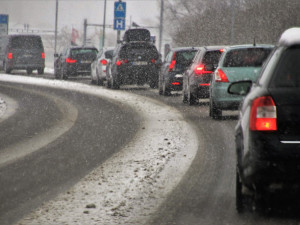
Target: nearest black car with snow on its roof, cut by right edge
[(267, 133)]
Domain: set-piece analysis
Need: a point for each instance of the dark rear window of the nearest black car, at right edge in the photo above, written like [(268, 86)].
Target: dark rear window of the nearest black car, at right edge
[(287, 69)]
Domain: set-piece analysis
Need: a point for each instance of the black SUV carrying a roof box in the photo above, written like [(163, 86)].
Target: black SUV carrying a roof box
[(135, 61)]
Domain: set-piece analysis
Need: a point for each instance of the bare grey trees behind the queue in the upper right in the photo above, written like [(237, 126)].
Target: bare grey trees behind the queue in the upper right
[(226, 22)]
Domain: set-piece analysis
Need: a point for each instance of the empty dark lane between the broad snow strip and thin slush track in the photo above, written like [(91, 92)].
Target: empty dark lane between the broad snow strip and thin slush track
[(38, 177)]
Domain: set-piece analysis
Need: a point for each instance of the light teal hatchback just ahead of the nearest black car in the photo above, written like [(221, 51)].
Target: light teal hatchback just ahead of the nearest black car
[(236, 63)]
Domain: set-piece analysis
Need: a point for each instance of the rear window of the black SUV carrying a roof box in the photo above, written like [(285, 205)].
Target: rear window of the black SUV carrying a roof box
[(145, 51)]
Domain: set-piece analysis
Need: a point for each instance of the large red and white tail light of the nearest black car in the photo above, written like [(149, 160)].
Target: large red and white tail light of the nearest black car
[(263, 116)]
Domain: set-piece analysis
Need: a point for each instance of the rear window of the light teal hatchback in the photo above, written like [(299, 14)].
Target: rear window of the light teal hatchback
[(248, 57)]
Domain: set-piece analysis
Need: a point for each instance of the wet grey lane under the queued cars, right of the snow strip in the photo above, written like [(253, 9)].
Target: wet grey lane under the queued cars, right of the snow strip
[(206, 194)]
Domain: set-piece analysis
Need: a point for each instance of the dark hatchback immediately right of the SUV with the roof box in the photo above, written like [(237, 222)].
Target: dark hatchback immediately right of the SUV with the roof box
[(173, 68)]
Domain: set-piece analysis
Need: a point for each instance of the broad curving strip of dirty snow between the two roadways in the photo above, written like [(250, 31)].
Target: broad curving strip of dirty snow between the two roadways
[(128, 187)]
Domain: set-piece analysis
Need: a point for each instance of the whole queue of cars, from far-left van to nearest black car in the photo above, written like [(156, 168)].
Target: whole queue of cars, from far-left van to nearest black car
[(261, 81)]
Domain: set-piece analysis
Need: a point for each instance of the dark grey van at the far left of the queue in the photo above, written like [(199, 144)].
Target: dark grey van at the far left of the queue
[(22, 52)]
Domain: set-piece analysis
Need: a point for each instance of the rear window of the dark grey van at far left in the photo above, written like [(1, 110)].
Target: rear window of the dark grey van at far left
[(26, 42)]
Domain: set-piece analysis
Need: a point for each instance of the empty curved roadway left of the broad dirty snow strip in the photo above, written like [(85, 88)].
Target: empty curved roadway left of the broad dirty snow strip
[(27, 182)]
